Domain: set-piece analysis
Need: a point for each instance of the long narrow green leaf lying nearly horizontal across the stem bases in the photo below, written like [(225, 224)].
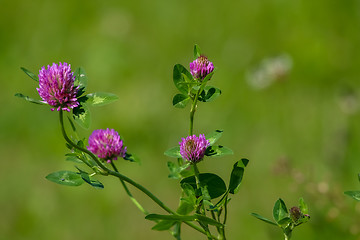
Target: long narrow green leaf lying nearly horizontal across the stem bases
[(195, 217)]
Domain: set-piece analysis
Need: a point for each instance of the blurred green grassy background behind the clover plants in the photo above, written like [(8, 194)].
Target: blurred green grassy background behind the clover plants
[(301, 134)]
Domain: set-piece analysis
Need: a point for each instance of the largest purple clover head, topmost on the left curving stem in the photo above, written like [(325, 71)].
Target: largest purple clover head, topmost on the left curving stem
[(56, 86)]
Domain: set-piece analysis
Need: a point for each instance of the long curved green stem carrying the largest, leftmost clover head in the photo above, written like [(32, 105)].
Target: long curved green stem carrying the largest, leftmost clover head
[(107, 171)]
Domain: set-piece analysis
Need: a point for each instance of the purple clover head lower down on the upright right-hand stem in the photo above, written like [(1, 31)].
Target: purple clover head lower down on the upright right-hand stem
[(192, 148)]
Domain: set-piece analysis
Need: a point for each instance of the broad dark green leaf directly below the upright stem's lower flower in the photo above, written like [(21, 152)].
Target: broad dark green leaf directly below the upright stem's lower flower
[(214, 184)]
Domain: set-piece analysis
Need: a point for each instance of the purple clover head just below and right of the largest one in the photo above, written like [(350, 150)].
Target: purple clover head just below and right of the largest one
[(106, 144)]
